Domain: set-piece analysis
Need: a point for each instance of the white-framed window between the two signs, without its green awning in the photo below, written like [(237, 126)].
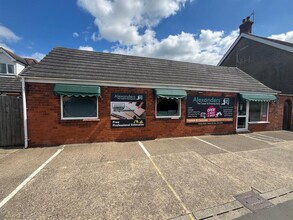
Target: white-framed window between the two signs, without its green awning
[(168, 108)]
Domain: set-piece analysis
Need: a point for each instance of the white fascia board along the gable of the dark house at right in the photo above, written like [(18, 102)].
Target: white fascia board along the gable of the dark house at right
[(257, 39)]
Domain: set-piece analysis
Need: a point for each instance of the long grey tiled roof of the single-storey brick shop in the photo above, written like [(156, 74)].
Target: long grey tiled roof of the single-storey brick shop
[(106, 69)]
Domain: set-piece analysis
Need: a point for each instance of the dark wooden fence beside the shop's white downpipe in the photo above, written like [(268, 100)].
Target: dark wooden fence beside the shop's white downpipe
[(11, 121)]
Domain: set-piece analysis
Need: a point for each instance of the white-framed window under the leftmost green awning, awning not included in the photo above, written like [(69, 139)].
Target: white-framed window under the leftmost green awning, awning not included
[(79, 107)]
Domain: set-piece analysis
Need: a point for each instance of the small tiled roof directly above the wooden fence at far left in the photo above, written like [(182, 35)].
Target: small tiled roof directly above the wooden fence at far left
[(10, 84)]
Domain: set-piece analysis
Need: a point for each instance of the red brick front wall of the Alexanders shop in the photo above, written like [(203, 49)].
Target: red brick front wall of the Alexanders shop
[(45, 126)]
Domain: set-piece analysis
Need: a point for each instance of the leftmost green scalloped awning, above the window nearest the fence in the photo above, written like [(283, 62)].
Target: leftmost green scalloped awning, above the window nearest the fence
[(76, 90)]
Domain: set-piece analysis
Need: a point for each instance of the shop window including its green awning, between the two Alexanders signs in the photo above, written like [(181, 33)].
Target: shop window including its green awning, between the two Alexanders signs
[(168, 102)]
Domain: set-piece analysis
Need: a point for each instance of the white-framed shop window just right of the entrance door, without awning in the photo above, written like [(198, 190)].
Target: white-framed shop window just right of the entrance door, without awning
[(258, 111)]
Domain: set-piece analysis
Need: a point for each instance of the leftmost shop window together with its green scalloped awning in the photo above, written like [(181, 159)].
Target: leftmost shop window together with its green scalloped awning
[(78, 101)]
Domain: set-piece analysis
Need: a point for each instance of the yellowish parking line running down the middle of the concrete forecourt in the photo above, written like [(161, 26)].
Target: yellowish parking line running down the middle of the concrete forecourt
[(166, 181)]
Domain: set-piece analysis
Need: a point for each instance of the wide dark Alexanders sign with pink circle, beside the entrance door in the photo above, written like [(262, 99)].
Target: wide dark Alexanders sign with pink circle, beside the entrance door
[(209, 109)]
